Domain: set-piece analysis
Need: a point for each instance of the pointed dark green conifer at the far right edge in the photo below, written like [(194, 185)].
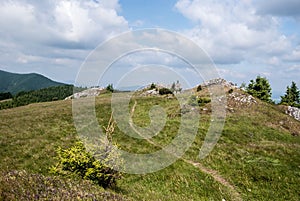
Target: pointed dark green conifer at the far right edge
[(292, 96)]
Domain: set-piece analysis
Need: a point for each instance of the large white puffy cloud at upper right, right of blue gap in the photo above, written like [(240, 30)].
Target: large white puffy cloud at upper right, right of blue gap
[(232, 31)]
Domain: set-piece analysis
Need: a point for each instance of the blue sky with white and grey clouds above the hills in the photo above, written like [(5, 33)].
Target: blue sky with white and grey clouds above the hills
[(244, 38)]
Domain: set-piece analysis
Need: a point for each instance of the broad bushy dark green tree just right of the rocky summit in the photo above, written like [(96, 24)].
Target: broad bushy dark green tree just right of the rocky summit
[(260, 88)]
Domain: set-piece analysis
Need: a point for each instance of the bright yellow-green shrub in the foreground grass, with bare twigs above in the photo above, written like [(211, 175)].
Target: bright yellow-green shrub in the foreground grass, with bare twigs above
[(77, 161)]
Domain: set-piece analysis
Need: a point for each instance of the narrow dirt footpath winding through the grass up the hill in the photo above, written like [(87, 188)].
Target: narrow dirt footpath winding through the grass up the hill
[(217, 177)]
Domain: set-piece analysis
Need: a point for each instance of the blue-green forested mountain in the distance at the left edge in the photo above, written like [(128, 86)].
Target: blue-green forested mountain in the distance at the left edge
[(14, 83)]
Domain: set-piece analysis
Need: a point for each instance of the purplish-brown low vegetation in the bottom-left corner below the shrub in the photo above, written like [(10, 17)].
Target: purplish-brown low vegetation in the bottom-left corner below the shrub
[(20, 185)]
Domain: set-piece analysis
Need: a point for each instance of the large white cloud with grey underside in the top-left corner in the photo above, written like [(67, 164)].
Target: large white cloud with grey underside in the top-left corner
[(73, 24)]
